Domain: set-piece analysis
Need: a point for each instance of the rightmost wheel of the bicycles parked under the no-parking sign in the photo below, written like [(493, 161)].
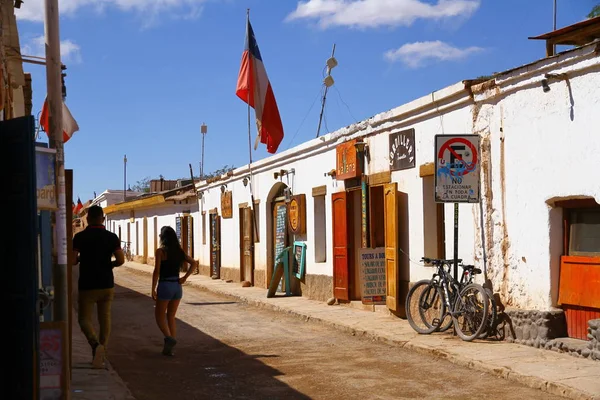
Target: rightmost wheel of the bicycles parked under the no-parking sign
[(471, 312)]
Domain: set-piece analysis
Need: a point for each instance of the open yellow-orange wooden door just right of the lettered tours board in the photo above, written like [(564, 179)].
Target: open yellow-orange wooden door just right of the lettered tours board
[(391, 245)]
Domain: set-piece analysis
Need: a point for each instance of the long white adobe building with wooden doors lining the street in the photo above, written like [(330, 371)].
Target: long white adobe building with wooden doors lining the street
[(537, 225)]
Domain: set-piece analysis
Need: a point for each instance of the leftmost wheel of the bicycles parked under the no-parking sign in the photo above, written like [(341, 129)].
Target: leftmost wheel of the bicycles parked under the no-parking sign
[(417, 305)]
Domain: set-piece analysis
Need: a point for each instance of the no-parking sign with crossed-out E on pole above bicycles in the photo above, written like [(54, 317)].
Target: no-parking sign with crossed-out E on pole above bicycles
[(457, 161)]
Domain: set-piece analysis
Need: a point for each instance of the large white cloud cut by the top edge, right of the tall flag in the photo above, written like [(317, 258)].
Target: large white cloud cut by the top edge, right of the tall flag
[(374, 13)]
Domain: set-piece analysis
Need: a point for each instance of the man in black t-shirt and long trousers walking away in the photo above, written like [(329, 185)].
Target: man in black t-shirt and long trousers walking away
[(95, 247)]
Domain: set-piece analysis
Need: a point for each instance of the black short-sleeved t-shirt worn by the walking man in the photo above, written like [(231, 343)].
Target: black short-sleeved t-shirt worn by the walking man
[(96, 246)]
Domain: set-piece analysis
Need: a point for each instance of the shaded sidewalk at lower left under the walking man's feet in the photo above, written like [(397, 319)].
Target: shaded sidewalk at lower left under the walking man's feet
[(93, 384)]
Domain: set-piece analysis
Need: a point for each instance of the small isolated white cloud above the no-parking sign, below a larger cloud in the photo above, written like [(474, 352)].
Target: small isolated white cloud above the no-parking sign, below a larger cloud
[(417, 54)]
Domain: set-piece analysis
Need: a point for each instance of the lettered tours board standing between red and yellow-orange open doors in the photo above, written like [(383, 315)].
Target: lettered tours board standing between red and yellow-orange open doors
[(372, 273)]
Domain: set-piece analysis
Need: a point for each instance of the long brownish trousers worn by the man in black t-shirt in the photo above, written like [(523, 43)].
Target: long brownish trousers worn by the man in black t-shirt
[(102, 298)]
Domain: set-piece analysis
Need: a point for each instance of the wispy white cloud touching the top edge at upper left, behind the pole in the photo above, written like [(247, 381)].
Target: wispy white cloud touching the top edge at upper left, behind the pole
[(33, 10)]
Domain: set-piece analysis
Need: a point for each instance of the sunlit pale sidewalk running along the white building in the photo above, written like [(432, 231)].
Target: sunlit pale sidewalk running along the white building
[(552, 372)]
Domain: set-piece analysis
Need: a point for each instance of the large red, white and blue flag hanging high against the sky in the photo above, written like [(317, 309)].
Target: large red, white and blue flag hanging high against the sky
[(254, 88)]
